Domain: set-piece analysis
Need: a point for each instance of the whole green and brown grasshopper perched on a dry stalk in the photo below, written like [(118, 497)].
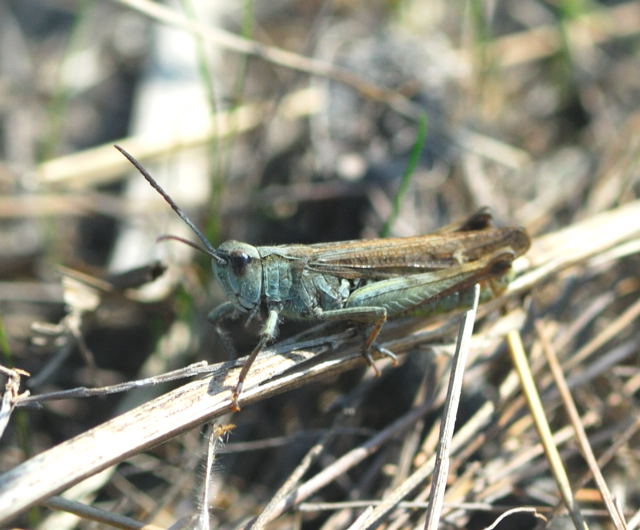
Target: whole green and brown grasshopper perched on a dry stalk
[(365, 281)]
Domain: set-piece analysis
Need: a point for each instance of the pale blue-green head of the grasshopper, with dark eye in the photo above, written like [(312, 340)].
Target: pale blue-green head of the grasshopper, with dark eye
[(239, 272)]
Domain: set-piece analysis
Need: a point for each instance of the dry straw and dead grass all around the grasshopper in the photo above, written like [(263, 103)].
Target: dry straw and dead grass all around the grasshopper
[(280, 122)]
